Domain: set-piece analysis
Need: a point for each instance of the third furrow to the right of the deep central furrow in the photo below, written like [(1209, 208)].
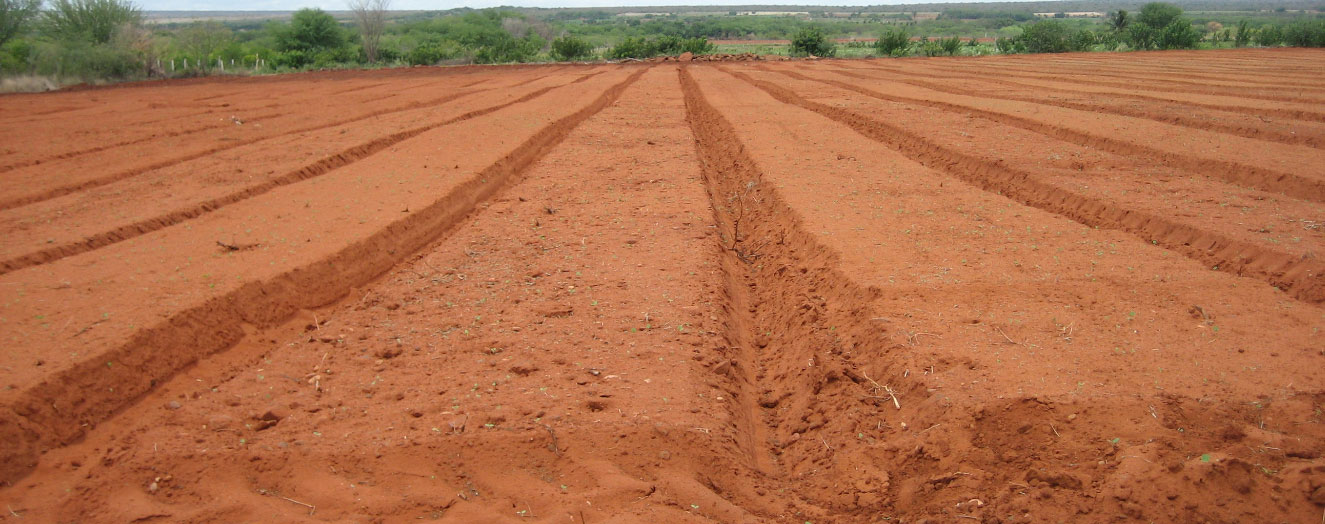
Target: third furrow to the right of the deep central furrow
[(1179, 120)]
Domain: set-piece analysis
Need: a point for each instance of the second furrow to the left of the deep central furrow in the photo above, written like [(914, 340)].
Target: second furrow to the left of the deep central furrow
[(305, 173)]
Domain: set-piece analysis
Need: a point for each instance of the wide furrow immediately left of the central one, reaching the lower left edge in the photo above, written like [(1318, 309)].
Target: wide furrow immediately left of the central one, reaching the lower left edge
[(89, 392)]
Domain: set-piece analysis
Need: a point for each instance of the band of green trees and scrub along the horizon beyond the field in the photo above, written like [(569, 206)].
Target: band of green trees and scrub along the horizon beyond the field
[(107, 40)]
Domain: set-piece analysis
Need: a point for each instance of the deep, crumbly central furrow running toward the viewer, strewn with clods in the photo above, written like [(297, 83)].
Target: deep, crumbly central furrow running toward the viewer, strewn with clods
[(796, 318)]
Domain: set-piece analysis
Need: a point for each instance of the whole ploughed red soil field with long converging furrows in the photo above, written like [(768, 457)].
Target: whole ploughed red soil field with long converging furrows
[(1006, 290)]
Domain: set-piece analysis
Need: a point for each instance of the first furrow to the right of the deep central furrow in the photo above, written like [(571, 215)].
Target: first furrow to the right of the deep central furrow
[(1303, 279)]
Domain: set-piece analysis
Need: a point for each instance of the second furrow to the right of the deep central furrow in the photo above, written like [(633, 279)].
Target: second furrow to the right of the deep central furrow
[(1240, 174)]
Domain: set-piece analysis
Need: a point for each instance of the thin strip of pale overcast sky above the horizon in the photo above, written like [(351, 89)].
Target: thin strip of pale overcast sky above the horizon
[(434, 5)]
